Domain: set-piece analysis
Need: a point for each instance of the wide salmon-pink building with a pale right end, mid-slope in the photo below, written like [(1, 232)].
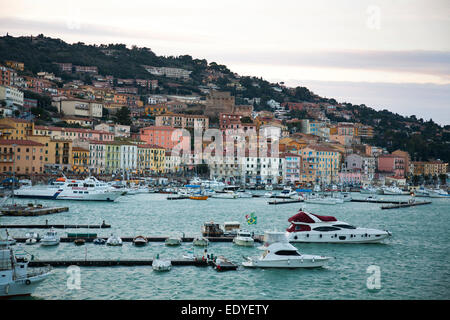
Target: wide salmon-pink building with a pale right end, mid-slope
[(166, 137)]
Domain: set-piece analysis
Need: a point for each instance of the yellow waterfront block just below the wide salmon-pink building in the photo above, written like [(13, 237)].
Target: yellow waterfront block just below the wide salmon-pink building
[(151, 158)]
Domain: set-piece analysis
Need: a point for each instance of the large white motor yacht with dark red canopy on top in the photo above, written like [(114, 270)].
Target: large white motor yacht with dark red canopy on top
[(309, 227)]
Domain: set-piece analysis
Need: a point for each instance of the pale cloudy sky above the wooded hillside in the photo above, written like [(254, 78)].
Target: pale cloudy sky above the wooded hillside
[(391, 55)]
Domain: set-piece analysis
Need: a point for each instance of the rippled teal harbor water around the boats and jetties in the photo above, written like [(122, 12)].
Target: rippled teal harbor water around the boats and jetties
[(414, 263)]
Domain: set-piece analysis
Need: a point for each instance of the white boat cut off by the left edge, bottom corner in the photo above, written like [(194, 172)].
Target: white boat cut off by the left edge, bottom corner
[(16, 279)]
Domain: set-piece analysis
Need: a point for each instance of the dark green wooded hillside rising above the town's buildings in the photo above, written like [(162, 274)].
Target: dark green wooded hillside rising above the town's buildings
[(423, 140)]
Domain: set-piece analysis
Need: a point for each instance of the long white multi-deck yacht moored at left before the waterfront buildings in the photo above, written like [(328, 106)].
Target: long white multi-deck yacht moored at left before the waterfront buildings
[(66, 189)]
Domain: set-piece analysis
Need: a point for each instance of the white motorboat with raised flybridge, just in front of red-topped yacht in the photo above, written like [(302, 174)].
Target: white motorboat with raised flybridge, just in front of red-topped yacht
[(279, 253)]
